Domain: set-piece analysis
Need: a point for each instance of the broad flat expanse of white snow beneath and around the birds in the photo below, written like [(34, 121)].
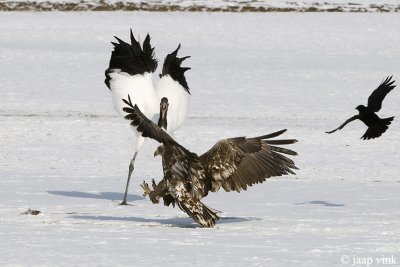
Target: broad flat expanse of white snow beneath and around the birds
[(65, 152)]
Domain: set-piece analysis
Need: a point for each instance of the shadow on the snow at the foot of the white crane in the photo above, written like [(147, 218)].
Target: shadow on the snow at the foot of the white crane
[(113, 196)]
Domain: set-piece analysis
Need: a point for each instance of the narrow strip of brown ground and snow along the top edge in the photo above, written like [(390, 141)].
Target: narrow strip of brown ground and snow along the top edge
[(205, 5)]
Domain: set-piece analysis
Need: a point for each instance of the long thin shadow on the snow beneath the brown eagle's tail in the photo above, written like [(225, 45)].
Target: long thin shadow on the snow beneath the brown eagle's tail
[(171, 222)]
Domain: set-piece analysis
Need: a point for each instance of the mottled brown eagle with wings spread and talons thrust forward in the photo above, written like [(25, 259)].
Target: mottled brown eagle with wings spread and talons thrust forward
[(233, 164)]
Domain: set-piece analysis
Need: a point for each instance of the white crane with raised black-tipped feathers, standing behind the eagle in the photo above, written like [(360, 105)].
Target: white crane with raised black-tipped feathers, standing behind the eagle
[(130, 73)]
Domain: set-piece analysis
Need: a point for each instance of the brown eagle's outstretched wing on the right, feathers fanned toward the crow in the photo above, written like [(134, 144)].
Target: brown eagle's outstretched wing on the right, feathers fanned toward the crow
[(239, 162)]
